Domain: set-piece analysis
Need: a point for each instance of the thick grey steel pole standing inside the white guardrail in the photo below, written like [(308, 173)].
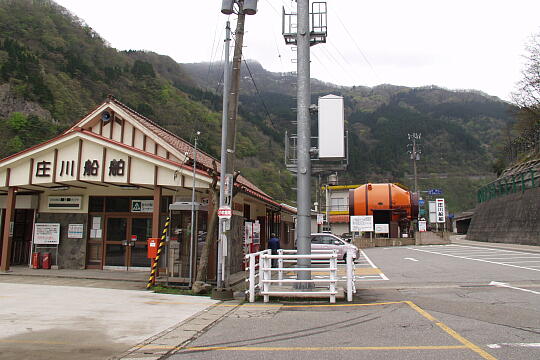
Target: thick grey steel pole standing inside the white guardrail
[(303, 175)]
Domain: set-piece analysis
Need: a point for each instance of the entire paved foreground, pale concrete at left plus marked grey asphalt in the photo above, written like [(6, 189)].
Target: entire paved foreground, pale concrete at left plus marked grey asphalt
[(430, 302)]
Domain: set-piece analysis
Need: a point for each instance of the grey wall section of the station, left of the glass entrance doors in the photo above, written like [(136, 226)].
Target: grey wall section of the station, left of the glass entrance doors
[(71, 252)]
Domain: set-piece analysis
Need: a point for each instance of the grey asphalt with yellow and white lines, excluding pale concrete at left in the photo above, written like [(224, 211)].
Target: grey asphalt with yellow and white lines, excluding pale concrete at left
[(434, 302)]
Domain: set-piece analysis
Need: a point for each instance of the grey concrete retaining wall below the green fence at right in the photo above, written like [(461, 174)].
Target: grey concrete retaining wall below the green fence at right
[(513, 218)]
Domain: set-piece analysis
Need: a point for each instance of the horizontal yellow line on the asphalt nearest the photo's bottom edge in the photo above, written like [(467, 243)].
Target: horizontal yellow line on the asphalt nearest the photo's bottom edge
[(295, 348)]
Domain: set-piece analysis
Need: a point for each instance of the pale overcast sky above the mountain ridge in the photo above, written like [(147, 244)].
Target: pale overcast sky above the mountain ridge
[(458, 44)]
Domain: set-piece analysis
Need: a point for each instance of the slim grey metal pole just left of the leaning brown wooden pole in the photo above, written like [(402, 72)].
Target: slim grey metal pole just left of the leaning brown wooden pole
[(224, 135)]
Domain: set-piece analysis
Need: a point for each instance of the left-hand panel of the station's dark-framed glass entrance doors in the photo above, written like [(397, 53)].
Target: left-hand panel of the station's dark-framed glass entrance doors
[(116, 241)]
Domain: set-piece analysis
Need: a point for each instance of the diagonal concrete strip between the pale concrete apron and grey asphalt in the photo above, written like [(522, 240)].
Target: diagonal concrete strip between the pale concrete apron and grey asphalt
[(171, 340)]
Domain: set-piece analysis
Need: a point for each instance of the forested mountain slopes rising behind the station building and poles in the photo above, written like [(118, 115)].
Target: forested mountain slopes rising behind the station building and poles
[(54, 69)]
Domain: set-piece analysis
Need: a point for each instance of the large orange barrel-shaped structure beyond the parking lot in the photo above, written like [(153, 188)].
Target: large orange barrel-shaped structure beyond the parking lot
[(388, 203)]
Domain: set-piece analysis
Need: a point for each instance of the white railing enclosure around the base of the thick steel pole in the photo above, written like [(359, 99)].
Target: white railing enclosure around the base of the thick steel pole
[(260, 273)]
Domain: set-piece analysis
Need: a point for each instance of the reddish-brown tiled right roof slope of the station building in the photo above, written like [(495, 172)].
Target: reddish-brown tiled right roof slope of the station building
[(185, 147)]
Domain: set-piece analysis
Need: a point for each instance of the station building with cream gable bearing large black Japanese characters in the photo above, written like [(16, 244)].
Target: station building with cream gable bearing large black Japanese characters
[(93, 195)]
